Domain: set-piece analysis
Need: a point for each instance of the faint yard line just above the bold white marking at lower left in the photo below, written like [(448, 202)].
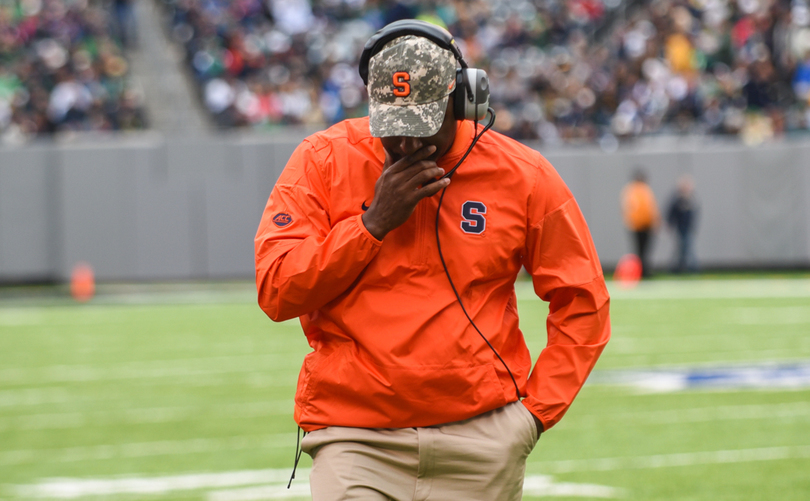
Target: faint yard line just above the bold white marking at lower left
[(146, 449)]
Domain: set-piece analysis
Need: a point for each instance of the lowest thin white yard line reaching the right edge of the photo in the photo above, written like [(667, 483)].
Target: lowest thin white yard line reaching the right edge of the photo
[(674, 460)]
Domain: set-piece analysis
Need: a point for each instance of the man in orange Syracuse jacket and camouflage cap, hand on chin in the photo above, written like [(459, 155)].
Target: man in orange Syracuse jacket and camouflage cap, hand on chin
[(402, 272)]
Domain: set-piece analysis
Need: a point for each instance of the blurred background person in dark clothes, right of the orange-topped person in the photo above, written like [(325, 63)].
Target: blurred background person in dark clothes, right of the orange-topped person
[(682, 218)]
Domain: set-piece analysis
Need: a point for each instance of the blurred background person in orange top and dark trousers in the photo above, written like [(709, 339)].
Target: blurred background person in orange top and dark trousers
[(641, 216)]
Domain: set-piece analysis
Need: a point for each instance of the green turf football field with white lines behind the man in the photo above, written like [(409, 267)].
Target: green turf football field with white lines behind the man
[(185, 392)]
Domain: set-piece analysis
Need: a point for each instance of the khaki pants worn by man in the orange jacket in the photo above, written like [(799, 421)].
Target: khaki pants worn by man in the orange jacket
[(482, 458)]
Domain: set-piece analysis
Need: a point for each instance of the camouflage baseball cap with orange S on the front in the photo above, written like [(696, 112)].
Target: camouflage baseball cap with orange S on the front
[(409, 82)]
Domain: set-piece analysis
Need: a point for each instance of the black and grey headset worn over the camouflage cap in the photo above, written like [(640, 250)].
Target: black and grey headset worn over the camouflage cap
[(471, 95)]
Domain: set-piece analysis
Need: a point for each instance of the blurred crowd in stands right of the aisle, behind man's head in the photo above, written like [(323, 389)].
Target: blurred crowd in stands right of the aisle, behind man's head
[(561, 70)]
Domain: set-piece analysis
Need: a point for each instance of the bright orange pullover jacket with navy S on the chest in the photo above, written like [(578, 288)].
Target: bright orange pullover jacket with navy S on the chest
[(391, 345)]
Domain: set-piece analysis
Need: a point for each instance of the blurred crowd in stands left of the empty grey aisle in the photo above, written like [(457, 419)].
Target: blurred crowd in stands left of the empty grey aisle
[(62, 68)]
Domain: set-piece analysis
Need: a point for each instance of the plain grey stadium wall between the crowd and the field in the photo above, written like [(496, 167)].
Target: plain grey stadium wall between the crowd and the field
[(147, 207)]
